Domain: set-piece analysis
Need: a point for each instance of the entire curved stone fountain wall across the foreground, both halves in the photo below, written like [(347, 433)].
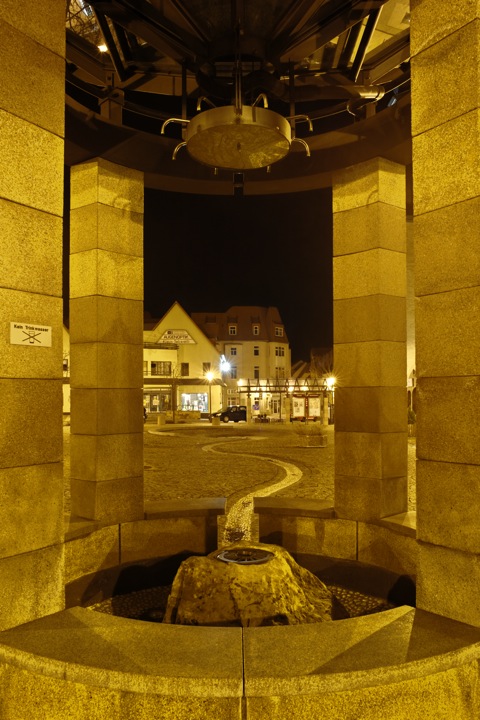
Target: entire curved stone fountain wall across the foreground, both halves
[(399, 664)]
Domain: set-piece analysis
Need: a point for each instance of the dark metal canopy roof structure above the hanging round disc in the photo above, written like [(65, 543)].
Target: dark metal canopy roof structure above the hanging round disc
[(343, 64)]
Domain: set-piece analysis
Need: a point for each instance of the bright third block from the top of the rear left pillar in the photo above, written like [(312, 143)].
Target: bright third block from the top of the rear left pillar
[(100, 272)]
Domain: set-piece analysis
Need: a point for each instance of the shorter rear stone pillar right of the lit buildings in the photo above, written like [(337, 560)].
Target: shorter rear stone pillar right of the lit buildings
[(369, 285)]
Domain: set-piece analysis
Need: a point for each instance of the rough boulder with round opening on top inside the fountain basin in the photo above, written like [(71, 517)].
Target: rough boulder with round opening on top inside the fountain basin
[(243, 592)]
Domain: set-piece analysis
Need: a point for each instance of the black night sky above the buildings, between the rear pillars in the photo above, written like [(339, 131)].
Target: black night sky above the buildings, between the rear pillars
[(212, 252)]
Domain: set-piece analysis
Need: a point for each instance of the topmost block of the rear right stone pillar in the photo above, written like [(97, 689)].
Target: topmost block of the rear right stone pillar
[(376, 180)]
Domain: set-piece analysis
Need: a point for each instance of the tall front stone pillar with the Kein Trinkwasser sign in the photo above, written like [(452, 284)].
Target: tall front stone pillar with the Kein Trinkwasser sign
[(32, 78)]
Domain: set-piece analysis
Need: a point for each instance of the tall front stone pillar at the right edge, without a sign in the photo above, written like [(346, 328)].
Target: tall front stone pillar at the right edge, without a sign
[(446, 171)]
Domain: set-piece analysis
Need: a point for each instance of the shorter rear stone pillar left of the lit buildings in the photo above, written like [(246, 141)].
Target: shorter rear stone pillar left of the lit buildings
[(106, 336)]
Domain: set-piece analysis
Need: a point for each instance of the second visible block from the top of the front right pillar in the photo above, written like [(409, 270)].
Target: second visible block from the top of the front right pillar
[(440, 65)]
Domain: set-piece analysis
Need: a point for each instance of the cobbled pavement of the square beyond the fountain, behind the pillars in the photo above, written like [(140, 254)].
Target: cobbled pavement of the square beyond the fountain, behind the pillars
[(179, 463)]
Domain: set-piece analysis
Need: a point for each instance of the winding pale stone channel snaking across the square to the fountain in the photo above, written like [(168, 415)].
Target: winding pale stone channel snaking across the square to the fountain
[(239, 515)]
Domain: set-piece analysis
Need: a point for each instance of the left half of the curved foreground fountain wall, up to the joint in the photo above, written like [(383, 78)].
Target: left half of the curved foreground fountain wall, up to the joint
[(65, 666)]
